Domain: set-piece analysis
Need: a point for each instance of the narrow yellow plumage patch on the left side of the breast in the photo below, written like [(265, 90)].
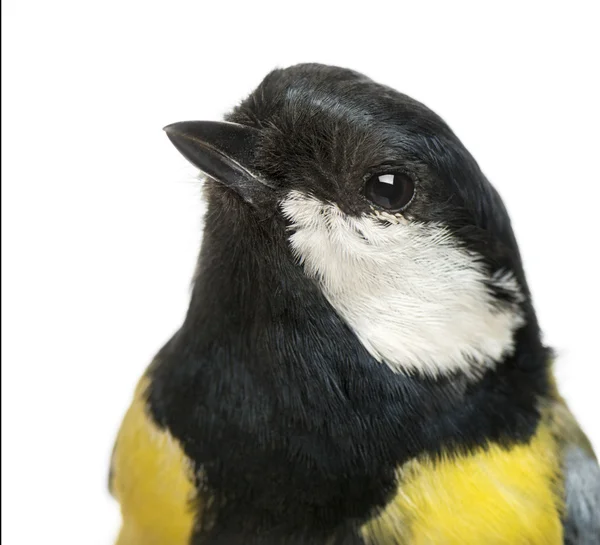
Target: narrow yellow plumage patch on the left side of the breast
[(152, 481)]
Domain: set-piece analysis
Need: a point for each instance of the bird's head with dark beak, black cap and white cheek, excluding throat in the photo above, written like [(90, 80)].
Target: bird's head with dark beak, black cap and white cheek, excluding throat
[(381, 206)]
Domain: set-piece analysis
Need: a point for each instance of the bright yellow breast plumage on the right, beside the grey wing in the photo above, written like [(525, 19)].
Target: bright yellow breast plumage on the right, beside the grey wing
[(493, 496)]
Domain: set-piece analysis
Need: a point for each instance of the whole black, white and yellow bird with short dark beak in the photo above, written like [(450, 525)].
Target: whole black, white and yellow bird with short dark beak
[(361, 362)]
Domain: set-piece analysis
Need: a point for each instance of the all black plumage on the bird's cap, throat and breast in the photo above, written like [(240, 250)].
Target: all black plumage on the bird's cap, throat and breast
[(294, 429)]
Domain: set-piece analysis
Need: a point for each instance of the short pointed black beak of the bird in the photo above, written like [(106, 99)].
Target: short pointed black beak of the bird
[(223, 151)]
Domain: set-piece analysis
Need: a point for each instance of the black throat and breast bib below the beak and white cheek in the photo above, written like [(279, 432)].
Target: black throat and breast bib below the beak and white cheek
[(294, 429)]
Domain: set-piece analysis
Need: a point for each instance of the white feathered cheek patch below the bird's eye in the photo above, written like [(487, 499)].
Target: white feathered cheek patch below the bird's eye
[(416, 300)]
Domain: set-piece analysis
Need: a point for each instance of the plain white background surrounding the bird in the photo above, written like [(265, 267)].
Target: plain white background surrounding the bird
[(101, 217)]
